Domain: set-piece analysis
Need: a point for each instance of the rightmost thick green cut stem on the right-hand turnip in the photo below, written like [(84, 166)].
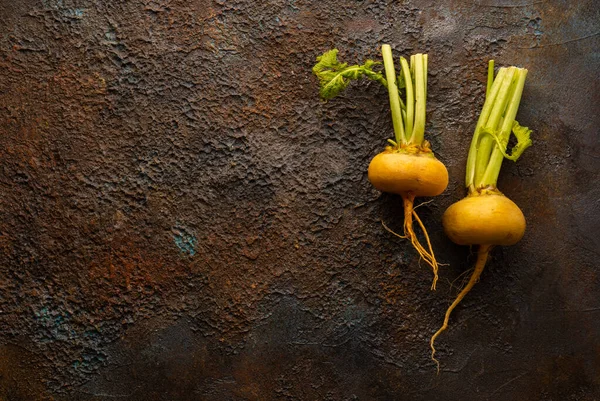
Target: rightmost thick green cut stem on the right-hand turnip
[(493, 169)]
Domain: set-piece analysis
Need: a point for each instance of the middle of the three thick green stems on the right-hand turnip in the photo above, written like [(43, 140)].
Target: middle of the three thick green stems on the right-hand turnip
[(486, 142)]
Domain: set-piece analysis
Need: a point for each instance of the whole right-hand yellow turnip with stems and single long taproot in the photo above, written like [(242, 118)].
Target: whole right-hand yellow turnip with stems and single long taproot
[(486, 217)]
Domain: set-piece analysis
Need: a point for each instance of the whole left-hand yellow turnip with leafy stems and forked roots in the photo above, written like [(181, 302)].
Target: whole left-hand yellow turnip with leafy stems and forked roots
[(408, 166)]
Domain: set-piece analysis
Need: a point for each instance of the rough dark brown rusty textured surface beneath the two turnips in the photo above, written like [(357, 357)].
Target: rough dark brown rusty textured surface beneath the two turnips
[(183, 219)]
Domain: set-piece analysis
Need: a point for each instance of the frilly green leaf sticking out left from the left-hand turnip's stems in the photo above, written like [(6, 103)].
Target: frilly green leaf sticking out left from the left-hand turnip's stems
[(334, 76)]
